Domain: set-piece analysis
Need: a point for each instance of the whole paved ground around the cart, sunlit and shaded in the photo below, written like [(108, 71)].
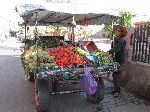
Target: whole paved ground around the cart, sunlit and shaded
[(16, 93)]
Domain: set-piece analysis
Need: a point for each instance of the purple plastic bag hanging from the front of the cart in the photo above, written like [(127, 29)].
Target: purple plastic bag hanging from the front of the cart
[(88, 83)]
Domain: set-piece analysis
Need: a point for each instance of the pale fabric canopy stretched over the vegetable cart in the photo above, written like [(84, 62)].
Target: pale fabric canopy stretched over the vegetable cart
[(63, 14)]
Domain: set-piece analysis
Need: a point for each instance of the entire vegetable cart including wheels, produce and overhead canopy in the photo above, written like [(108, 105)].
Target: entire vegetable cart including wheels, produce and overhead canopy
[(48, 66)]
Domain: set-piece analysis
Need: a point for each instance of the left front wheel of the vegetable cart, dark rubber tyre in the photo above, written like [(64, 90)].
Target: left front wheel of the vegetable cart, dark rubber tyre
[(41, 96)]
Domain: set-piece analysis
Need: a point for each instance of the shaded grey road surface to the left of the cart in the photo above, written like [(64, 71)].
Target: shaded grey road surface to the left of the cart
[(15, 92)]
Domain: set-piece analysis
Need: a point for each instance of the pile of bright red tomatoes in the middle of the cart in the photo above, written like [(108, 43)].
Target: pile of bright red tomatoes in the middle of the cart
[(64, 56)]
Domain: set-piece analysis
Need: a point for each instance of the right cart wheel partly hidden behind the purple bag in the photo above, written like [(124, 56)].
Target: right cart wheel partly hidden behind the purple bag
[(99, 95)]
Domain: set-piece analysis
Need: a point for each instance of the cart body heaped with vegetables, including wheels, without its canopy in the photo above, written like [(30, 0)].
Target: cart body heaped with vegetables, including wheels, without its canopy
[(49, 77)]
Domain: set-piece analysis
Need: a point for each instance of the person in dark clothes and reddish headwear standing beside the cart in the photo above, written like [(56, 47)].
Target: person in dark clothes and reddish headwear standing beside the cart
[(119, 52)]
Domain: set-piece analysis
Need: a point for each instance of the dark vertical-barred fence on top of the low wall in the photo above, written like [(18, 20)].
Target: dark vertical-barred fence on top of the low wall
[(141, 43)]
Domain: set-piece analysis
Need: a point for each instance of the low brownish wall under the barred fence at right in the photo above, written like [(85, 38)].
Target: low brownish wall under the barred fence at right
[(136, 77)]
